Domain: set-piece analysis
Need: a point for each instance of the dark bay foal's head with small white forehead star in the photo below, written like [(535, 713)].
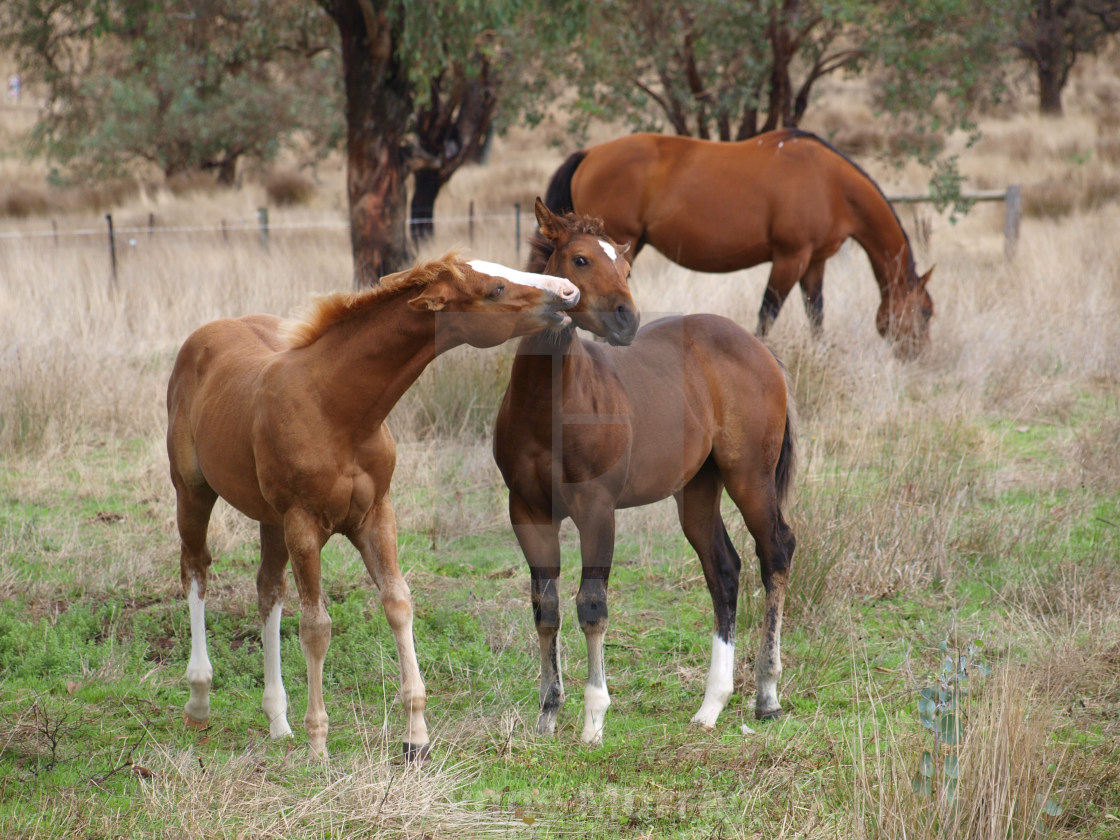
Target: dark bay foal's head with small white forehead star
[(578, 248)]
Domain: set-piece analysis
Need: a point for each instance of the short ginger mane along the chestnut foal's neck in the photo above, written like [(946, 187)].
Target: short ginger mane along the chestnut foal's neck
[(330, 310)]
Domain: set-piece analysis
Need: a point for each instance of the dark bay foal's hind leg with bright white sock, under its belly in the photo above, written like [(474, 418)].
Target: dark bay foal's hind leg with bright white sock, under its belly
[(698, 509)]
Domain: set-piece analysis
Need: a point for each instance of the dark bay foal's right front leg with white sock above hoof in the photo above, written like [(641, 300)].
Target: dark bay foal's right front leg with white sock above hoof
[(598, 548)]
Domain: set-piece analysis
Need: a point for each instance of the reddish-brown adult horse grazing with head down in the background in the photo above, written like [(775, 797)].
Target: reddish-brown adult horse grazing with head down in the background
[(785, 197)]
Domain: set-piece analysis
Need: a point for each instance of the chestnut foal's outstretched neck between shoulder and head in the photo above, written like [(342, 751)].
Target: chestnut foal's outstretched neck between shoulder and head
[(366, 365)]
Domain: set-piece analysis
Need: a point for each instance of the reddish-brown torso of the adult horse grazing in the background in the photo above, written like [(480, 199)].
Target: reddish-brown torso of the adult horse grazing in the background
[(718, 207)]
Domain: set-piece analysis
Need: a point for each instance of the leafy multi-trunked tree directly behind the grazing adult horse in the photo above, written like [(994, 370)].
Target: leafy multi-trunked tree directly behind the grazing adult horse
[(727, 71)]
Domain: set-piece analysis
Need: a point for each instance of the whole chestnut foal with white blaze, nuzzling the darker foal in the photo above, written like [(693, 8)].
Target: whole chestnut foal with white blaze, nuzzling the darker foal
[(285, 421)]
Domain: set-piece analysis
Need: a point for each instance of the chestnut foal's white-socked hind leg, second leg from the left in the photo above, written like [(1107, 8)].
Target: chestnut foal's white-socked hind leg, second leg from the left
[(270, 589)]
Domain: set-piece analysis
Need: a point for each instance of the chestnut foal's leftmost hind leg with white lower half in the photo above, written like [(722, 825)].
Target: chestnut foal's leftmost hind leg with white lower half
[(194, 505)]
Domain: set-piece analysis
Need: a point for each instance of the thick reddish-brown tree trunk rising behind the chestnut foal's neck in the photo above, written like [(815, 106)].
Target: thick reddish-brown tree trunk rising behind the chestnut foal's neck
[(379, 106)]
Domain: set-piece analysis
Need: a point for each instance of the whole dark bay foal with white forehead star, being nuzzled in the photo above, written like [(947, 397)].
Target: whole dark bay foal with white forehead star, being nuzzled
[(693, 406)]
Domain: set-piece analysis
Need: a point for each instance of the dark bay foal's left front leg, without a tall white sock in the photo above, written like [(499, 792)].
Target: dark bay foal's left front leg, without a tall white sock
[(539, 538)]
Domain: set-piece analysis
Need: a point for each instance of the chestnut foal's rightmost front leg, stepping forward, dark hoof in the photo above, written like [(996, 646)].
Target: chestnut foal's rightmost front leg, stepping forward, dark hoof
[(377, 543)]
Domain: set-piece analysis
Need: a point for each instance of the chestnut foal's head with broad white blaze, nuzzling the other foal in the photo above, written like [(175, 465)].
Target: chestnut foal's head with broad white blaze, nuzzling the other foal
[(484, 304)]
